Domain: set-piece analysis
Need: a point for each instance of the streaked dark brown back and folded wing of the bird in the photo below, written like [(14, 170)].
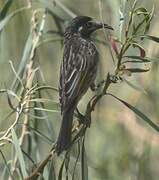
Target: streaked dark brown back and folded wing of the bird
[(78, 71)]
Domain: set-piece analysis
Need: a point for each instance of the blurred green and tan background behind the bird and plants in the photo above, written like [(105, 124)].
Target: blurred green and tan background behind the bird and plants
[(119, 145)]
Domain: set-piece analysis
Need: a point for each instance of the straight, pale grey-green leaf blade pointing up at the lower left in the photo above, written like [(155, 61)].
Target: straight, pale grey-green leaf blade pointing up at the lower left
[(19, 153)]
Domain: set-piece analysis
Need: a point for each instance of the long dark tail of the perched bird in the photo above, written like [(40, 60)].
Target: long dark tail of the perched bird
[(64, 138)]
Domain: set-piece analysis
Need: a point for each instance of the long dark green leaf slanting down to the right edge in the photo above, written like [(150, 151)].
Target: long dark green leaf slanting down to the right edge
[(137, 112)]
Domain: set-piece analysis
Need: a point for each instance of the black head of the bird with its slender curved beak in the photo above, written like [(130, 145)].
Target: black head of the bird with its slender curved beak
[(85, 25)]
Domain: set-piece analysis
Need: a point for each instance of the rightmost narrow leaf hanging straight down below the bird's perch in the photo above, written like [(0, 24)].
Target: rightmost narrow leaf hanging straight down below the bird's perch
[(84, 166)]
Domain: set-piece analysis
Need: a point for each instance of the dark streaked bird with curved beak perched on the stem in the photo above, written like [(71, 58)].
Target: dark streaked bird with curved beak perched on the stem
[(77, 71)]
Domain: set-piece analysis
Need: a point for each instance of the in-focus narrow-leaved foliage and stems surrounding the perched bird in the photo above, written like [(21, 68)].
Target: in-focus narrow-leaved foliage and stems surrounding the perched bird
[(30, 98)]
